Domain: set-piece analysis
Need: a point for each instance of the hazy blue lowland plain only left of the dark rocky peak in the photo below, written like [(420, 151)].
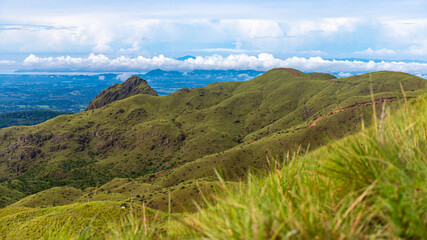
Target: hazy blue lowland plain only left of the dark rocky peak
[(55, 92)]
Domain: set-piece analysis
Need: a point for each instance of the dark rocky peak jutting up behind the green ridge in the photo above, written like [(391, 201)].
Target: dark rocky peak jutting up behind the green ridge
[(132, 86)]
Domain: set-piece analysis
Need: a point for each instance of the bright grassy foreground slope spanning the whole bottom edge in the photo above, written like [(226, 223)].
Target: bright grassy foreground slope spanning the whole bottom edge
[(371, 185)]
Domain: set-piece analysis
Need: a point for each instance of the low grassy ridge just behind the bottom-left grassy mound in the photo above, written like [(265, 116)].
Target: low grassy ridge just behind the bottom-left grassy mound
[(128, 190)]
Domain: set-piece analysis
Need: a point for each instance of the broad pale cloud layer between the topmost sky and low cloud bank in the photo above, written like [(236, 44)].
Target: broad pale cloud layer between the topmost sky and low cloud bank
[(122, 34)]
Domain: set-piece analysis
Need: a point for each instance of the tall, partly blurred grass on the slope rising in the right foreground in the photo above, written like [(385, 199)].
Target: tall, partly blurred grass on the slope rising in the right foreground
[(371, 185)]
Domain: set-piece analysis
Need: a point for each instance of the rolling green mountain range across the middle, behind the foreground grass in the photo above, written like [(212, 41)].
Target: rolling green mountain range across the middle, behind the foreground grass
[(149, 146)]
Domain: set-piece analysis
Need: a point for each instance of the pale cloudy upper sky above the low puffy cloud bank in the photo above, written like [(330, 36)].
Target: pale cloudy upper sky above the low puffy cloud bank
[(178, 28)]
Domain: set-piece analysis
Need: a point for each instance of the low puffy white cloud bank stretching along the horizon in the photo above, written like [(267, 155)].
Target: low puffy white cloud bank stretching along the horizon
[(263, 61)]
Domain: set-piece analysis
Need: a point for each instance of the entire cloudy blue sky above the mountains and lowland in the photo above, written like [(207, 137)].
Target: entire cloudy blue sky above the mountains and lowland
[(139, 35)]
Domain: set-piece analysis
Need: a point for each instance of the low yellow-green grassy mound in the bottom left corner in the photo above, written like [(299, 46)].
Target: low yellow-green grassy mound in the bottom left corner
[(94, 220)]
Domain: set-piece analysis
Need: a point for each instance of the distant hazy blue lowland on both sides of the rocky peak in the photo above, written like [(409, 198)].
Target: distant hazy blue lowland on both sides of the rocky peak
[(72, 91)]
